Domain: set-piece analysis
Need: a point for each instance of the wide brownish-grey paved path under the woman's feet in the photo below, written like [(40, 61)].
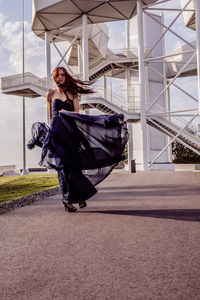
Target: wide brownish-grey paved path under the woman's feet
[(139, 239)]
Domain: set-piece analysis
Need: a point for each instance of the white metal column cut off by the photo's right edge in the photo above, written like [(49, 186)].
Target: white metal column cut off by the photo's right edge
[(197, 19)]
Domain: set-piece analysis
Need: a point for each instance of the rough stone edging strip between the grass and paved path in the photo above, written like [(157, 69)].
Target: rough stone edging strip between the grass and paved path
[(6, 207)]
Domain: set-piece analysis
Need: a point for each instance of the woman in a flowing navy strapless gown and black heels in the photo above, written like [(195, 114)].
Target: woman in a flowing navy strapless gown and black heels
[(75, 143)]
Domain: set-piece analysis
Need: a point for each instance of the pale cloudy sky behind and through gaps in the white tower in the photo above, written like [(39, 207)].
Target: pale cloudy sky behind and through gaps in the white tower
[(11, 63)]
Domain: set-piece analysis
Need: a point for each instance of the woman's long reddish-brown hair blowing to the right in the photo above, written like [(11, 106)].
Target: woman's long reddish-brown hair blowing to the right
[(71, 85)]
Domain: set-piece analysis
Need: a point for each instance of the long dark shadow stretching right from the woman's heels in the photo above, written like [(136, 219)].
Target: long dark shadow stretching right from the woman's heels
[(192, 215)]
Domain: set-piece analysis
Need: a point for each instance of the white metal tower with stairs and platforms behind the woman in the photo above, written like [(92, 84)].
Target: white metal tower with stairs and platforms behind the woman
[(148, 69)]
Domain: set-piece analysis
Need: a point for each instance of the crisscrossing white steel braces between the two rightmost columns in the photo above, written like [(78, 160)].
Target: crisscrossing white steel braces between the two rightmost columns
[(194, 51)]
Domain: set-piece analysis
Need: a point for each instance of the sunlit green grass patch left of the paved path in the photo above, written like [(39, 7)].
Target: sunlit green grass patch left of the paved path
[(16, 187)]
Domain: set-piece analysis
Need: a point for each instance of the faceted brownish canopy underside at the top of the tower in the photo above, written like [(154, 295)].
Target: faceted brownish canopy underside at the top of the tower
[(53, 15)]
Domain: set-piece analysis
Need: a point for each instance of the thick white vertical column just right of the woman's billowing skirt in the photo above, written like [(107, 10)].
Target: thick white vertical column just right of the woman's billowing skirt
[(142, 81)]
